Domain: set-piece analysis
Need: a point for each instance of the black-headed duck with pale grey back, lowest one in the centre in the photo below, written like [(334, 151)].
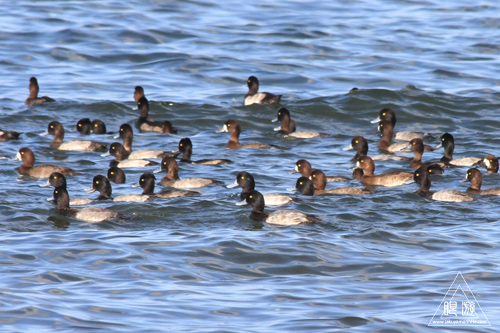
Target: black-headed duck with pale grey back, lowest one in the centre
[(280, 217)]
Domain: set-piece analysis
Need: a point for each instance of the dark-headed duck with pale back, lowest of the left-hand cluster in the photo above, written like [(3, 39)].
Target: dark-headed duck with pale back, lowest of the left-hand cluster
[(87, 214)]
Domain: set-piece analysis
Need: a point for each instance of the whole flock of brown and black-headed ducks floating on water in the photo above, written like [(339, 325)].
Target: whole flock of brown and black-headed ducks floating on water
[(311, 181)]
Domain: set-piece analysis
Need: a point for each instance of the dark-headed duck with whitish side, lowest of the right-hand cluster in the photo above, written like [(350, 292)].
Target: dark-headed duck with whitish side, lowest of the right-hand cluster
[(423, 179)]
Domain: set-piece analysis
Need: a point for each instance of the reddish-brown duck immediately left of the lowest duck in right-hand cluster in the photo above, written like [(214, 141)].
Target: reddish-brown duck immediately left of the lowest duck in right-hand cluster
[(388, 179)]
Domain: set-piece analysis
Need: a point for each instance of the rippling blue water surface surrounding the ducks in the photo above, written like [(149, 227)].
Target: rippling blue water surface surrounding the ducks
[(381, 262)]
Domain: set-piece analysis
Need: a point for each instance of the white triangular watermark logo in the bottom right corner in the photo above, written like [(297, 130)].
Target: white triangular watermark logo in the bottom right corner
[(459, 307)]
